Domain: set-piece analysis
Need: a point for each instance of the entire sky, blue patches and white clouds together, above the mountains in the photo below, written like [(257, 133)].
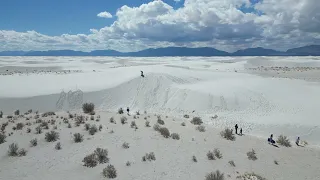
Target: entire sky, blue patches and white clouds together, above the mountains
[(227, 25)]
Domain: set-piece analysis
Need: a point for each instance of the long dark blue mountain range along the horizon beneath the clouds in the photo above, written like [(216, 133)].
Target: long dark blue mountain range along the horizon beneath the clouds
[(313, 50)]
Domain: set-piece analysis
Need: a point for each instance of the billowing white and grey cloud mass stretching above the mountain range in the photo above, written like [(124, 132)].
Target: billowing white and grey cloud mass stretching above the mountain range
[(280, 24)]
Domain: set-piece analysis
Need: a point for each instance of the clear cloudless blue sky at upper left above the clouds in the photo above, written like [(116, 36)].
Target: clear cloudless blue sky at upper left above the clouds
[(56, 17)]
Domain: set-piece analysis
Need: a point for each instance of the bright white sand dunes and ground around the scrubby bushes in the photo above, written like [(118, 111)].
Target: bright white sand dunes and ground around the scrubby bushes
[(250, 91)]
